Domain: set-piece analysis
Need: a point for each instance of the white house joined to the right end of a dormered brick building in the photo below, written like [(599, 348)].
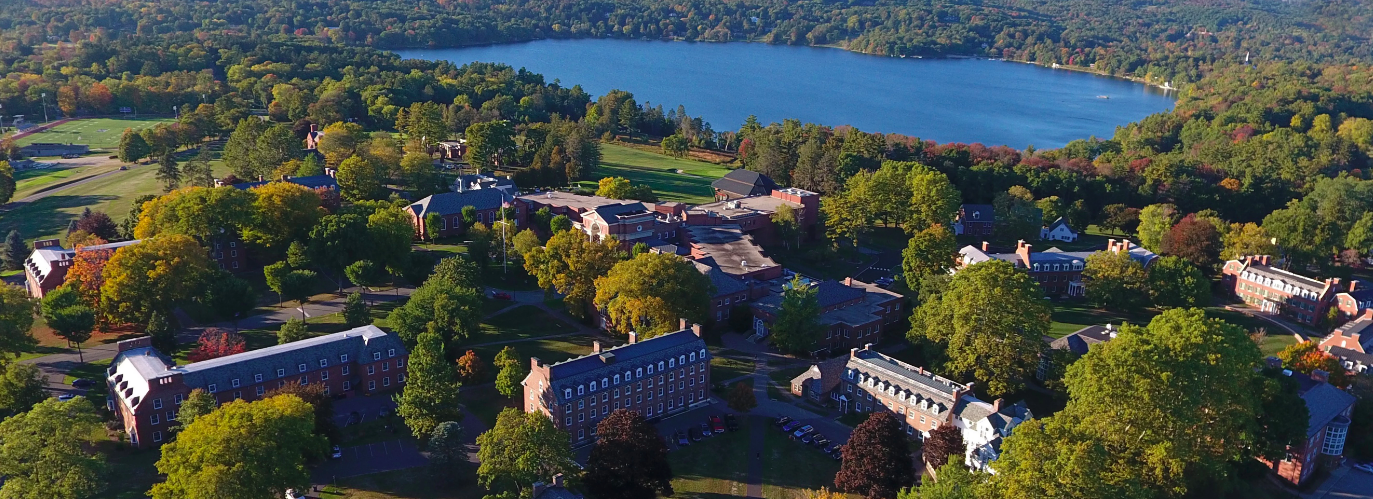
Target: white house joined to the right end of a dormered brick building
[(985, 427)]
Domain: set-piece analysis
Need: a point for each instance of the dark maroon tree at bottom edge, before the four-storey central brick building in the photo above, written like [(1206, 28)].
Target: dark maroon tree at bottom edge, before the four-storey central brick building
[(630, 460)]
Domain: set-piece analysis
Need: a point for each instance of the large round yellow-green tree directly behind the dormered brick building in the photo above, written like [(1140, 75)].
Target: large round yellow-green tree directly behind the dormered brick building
[(992, 320)]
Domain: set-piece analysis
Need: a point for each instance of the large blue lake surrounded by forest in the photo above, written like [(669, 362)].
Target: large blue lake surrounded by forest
[(992, 102)]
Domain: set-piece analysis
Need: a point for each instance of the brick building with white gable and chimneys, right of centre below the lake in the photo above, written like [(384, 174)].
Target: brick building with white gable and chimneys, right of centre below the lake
[(1057, 271)]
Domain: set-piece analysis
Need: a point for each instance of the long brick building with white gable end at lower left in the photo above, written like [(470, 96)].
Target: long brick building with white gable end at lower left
[(148, 388)]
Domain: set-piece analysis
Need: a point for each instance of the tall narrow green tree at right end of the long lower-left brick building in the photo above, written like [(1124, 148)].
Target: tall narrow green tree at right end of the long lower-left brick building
[(430, 394)]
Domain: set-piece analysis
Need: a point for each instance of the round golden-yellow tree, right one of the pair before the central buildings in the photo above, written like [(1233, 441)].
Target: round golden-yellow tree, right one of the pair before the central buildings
[(651, 293)]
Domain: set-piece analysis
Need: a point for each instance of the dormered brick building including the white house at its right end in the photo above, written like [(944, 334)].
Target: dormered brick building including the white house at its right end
[(867, 381)]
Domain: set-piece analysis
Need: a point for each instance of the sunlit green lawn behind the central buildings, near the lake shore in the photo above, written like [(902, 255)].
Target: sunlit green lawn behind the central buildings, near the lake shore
[(660, 173)]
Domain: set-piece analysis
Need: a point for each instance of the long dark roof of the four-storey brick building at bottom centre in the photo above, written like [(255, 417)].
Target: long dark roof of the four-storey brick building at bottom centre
[(623, 359)]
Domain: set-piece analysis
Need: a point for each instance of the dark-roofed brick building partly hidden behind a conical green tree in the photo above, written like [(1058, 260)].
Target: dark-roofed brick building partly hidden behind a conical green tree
[(853, 313)]
